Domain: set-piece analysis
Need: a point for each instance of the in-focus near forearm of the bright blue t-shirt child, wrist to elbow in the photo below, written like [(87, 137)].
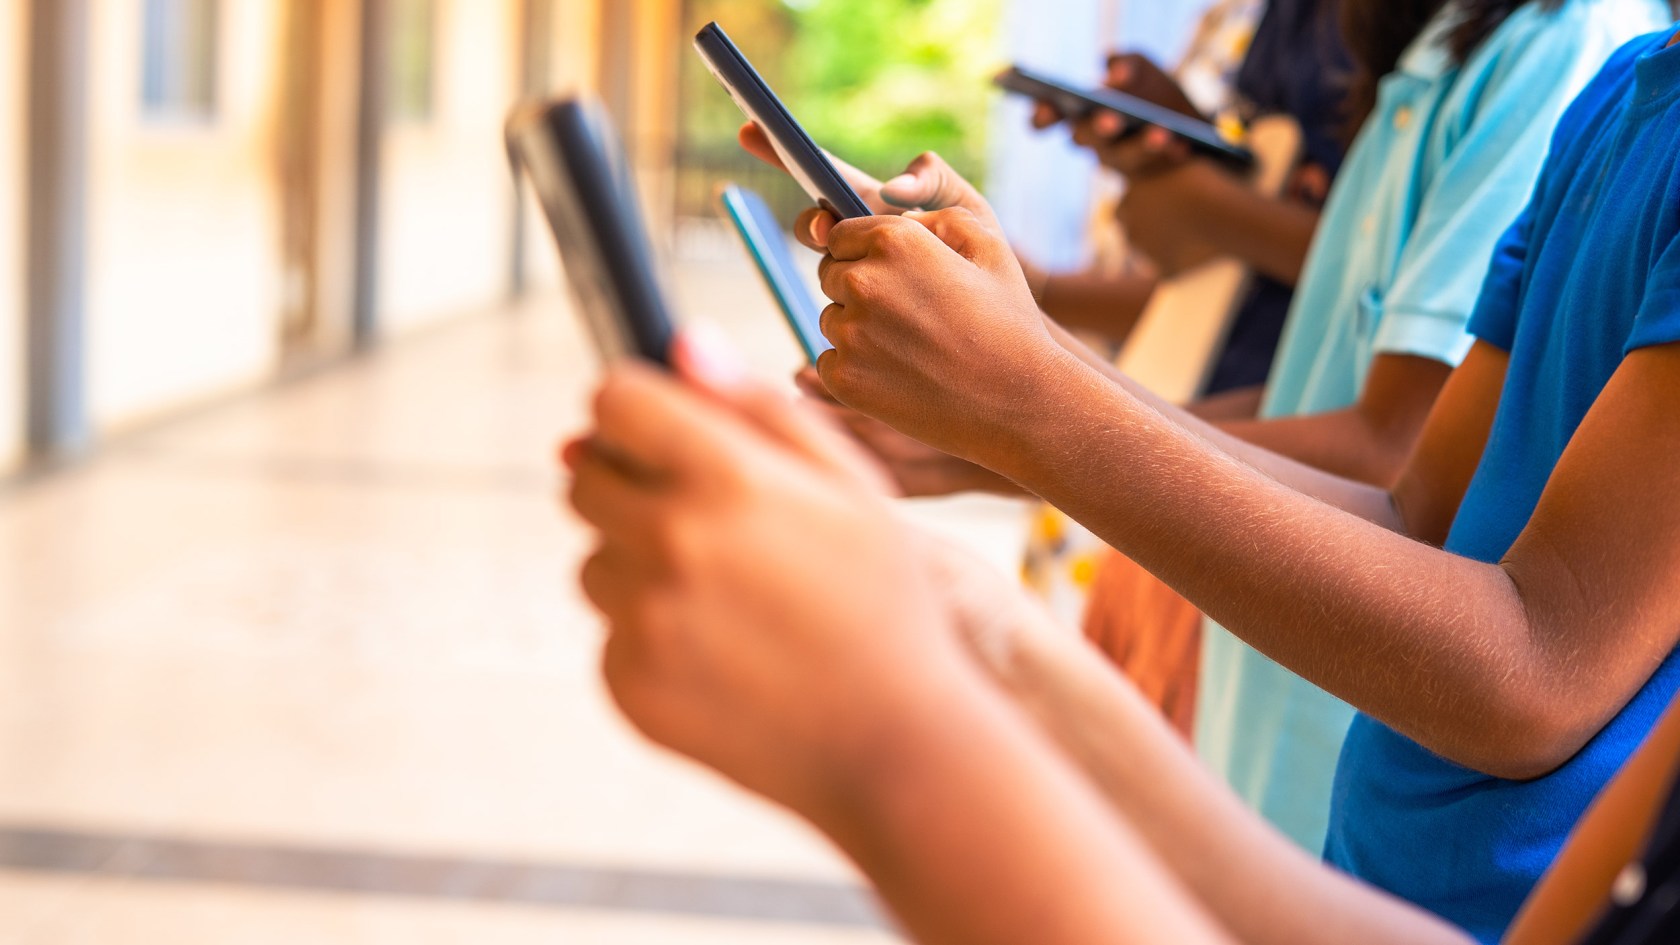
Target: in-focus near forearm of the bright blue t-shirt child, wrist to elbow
[(1437, 647)]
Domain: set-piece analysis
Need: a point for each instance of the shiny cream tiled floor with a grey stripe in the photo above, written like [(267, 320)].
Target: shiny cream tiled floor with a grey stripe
[(312, 668)]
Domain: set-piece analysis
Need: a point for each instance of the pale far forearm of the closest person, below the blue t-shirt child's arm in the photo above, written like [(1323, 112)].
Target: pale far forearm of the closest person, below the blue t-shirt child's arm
[(1257, 884)]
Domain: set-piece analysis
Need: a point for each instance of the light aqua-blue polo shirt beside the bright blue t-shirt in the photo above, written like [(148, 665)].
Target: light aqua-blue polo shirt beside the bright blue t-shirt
[(1446, 164)]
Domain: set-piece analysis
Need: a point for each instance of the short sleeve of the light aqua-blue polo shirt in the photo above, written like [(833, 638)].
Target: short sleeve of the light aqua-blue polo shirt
[(1484, 184)]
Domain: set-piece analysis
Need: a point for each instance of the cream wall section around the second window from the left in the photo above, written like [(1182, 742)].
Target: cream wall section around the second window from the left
[(448, 209)]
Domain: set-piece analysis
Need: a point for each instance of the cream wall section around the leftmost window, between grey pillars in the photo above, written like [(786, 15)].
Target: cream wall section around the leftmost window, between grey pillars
[(184, 273)]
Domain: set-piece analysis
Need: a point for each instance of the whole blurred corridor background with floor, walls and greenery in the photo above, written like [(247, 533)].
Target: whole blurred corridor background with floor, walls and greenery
[(290, 648)]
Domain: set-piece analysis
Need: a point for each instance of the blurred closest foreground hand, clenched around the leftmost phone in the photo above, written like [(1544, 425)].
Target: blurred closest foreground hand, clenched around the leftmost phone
[(769, 613)]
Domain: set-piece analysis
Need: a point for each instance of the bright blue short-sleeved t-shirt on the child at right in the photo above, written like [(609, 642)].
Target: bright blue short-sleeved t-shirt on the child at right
[(1588, 275)]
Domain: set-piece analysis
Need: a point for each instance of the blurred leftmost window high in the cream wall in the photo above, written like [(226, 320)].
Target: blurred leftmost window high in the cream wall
[(181, 60)]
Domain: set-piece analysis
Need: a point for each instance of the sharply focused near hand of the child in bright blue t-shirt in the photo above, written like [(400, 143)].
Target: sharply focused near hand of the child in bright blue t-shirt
[(935, 329)]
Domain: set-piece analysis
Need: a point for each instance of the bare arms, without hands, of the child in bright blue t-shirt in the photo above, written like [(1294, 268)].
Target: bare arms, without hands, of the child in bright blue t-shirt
[(1466, 658)]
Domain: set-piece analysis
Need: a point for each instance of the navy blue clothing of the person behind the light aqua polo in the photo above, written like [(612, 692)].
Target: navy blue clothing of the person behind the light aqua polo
[(1298, 66)]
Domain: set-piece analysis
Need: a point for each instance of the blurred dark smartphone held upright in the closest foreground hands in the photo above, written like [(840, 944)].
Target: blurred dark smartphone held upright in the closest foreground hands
[(572, 156)]
